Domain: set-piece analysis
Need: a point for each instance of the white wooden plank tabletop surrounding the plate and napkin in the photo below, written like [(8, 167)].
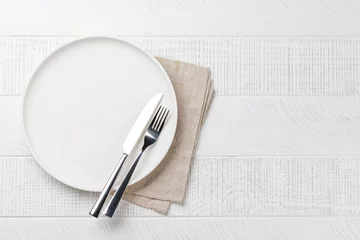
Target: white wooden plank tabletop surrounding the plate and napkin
[(285, 161)]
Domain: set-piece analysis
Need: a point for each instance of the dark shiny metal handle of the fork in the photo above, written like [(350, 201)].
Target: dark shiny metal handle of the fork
[(114, 201)]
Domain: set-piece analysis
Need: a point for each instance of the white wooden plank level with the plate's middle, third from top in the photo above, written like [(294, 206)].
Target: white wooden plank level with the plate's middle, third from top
[(250, 126)]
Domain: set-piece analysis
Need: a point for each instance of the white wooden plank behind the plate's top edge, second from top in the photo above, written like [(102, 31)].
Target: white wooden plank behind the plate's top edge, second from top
[(249, 66)]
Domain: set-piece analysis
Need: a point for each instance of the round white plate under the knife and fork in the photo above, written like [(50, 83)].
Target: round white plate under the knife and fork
[(82, 101)]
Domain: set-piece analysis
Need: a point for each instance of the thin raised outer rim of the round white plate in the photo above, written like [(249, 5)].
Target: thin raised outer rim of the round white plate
[(59, 48)]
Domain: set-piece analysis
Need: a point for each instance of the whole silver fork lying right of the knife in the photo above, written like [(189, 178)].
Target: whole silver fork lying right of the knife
[(151, 136)]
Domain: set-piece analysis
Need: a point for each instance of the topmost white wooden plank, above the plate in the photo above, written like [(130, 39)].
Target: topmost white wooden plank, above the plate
[(180, 17)]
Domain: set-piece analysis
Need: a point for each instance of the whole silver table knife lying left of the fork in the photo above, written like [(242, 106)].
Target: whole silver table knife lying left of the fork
[(136, 132)]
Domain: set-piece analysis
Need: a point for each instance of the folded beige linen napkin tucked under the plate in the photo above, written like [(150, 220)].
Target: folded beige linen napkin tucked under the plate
[(167, 183)]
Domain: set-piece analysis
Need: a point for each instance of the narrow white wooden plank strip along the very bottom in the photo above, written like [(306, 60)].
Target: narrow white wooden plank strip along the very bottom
[(182, 228)]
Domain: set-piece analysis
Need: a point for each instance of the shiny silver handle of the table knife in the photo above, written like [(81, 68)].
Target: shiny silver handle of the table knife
[(95, 211)]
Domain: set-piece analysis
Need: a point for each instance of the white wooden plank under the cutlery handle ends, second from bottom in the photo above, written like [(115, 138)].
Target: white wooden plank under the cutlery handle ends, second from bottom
[(218, 186)]
